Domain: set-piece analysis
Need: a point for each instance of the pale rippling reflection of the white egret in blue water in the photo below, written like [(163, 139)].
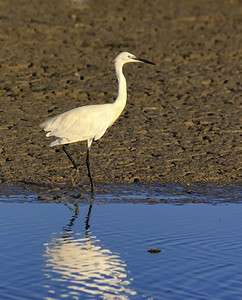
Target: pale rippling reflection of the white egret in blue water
[(77, 265)]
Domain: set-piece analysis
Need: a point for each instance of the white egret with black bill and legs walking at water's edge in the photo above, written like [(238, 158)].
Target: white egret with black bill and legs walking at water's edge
[(90, 122)]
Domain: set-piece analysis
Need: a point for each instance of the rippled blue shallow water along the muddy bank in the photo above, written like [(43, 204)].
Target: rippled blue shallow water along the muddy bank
[(50, 251)]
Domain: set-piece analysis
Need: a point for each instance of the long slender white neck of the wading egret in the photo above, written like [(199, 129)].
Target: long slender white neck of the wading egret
[(121, 99)]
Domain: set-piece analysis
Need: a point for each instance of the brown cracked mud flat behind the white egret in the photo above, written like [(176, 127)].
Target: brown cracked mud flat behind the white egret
[(181, 122)]
